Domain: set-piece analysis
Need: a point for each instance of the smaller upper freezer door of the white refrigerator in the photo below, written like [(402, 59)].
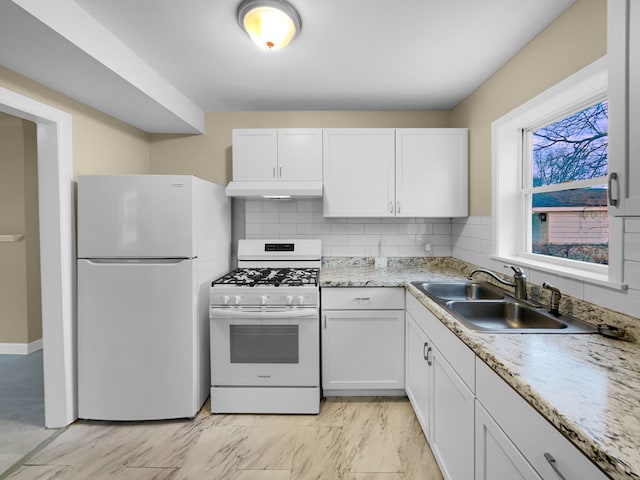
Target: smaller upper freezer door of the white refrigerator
[(136, 216)]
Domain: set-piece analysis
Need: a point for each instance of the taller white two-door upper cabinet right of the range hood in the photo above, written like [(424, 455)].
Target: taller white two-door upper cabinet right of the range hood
[(395, 172)]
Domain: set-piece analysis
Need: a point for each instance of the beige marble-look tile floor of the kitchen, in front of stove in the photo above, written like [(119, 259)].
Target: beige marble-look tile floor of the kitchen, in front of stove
[(351, 439)]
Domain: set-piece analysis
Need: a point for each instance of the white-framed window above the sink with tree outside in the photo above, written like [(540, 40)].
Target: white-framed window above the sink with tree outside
[(549, 182)]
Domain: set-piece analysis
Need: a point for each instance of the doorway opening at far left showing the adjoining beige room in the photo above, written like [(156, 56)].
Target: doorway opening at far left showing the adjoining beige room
[(21, 368)]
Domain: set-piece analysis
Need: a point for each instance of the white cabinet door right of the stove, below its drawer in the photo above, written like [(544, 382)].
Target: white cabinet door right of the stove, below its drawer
[(363, 349)]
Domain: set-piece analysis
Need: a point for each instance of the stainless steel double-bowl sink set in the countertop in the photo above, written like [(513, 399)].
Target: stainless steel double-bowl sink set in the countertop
[(487, 309)]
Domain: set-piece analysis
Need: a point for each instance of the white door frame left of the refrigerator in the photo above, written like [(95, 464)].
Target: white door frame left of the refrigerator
[(57, 252)]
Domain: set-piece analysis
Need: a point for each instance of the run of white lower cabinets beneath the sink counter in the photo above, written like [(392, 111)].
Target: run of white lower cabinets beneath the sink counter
[(478, 427)]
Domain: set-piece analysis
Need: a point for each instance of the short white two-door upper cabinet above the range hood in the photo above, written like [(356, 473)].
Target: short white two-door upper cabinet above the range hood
[(261, 155)]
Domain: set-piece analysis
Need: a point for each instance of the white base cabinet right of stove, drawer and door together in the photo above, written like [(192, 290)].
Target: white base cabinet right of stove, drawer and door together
[(362, 341)]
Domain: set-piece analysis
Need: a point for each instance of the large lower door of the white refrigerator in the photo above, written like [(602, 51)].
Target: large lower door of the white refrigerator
[(137, 340)]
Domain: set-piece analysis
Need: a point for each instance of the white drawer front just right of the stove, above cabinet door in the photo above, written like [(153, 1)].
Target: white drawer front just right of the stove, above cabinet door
[(372, 298)]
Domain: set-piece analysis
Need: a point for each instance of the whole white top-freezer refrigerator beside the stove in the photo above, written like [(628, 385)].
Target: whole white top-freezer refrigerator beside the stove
[(148, 248)]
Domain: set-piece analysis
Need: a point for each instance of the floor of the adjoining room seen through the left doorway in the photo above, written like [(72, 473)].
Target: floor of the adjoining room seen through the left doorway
[(21, 407)]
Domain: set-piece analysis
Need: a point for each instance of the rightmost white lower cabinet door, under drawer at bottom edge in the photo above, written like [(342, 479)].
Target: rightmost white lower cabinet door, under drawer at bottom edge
[(496, 456)]
